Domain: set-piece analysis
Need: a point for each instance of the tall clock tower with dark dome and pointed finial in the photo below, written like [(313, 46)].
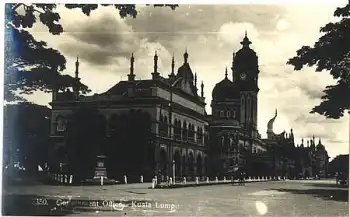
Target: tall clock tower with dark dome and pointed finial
[(245, 72)]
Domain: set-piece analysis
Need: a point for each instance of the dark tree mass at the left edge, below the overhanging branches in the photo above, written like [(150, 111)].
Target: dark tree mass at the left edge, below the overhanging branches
[(26, 130)]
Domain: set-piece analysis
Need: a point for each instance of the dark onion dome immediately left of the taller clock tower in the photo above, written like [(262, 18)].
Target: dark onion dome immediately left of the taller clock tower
[(225, 89)]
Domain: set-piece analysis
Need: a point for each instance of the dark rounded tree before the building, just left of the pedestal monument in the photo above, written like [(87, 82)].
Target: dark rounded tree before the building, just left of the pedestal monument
[(85, 140)]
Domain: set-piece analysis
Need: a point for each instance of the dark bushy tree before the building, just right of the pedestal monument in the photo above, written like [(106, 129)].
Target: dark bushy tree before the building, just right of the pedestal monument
[(130, 151)]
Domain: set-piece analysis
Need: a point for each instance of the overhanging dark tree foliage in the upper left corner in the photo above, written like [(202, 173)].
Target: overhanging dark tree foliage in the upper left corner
[(29, 64)]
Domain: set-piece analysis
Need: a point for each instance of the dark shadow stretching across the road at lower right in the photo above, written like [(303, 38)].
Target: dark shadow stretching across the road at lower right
[(327, 194)]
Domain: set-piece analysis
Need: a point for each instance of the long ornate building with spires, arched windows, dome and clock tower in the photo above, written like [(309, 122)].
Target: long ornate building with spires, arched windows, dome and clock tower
[(183, 134)]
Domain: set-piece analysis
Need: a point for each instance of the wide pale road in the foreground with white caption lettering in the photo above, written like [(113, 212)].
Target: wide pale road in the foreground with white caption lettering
[(284, 198)]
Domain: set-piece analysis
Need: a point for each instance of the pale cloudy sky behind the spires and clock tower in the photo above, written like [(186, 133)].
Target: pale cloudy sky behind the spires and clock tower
[(210, 33)]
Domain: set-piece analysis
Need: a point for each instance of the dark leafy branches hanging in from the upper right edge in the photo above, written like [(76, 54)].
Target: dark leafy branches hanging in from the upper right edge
[(331, 53)]
